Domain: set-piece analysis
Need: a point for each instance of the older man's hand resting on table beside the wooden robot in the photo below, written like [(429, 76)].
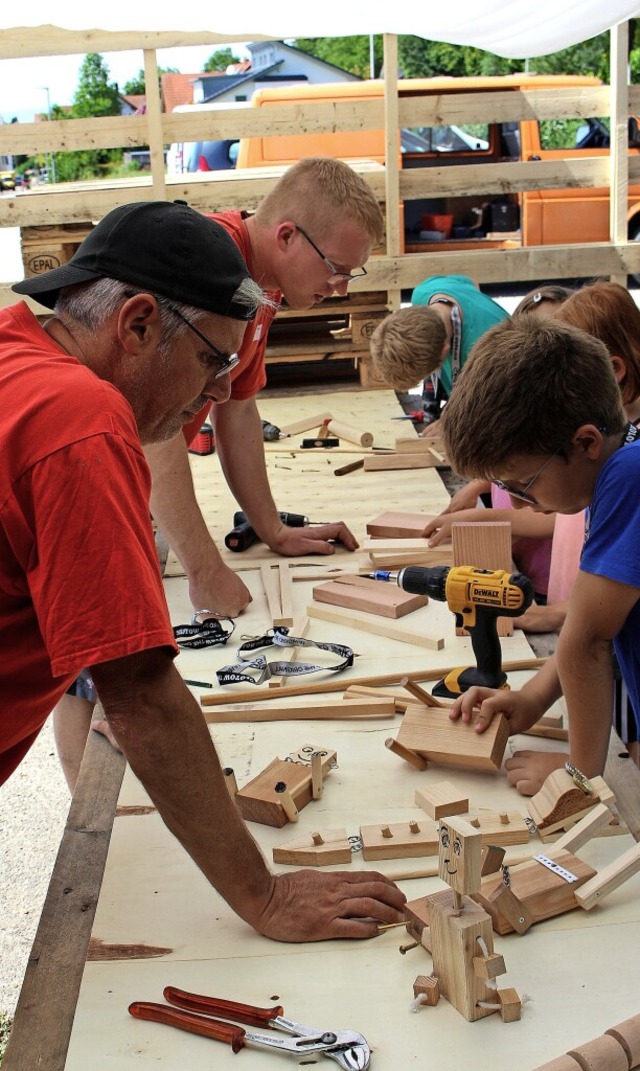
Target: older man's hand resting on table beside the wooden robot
[(311, 906)]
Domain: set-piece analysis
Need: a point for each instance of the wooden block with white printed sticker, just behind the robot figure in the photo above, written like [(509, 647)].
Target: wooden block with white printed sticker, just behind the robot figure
[(543, 894)]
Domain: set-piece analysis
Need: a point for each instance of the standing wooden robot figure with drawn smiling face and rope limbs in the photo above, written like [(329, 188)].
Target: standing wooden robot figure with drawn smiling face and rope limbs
[(459, 933)]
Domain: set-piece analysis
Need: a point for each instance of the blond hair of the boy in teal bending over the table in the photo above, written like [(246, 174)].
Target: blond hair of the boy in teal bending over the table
[(408, 345)]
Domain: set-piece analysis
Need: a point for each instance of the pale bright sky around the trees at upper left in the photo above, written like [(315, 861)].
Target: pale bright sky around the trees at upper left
[(22, 82)]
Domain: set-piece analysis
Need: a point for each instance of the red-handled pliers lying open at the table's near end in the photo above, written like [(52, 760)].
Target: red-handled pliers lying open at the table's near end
[(349, 1049)]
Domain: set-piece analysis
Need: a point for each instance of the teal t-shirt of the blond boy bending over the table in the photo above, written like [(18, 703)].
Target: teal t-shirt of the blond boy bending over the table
[(479, 314)]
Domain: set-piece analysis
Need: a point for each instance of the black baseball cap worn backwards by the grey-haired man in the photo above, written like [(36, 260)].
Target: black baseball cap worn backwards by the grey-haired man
[(165, 248)]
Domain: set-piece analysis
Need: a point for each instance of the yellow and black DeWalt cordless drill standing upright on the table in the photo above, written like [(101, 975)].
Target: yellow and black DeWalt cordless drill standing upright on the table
[(478, 597)]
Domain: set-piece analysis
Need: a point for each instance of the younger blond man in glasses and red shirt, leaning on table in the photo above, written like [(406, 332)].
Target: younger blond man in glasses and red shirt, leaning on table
[(309, 238)]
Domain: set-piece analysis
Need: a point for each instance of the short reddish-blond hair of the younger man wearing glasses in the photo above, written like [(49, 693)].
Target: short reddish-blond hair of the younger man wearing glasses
[(319, 193)]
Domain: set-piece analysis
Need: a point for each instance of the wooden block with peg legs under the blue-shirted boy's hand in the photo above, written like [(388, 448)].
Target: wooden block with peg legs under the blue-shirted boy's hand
[(432, 734)]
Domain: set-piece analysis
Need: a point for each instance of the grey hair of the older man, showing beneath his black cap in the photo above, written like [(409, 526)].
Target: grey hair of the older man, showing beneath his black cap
[(92, 305)]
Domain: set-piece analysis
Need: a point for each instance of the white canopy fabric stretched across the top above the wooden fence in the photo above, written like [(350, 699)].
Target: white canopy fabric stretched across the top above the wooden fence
[(515, 29)]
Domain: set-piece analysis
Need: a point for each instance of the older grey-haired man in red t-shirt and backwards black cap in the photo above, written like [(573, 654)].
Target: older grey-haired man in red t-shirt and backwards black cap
[(146, 320)]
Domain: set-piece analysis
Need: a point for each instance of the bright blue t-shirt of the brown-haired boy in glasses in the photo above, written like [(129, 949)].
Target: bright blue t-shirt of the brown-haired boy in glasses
[(613, 550)]
